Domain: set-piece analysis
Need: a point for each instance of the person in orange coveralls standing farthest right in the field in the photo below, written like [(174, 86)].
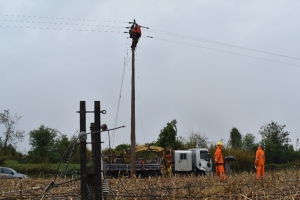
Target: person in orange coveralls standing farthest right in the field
[(260, 162)]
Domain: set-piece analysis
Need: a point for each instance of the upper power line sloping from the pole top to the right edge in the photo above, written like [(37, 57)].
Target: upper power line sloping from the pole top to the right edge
[(215, 42)]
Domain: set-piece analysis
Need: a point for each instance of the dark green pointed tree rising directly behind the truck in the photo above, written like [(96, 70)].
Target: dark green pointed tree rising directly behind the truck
[(167, 136)]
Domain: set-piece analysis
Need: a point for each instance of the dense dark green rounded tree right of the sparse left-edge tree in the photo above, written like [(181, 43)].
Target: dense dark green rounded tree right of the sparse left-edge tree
[(43, 145)]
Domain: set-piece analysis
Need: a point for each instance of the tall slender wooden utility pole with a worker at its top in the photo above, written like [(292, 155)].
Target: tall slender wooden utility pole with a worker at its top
[(132, 148)]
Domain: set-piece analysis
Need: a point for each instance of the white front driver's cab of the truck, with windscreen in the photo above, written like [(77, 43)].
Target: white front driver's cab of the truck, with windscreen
[(201, 161)]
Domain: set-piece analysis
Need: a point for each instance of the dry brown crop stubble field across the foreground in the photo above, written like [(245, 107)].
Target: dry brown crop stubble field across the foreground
[(276, 185)]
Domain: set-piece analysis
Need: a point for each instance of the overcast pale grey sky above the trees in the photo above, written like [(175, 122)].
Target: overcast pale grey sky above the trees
[(211, 65)]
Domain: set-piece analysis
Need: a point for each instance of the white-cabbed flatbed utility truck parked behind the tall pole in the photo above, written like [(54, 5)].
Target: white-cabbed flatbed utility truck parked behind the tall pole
[(168, 162)]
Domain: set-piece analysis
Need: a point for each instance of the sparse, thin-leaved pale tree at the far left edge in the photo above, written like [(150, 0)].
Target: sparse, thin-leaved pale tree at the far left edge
[(10, 134)]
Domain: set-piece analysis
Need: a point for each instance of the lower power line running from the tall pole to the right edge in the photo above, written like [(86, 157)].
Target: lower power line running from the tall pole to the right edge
[(259, 58)]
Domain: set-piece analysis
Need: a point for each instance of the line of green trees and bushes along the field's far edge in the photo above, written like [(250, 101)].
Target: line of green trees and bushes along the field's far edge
[(48, 145)]
